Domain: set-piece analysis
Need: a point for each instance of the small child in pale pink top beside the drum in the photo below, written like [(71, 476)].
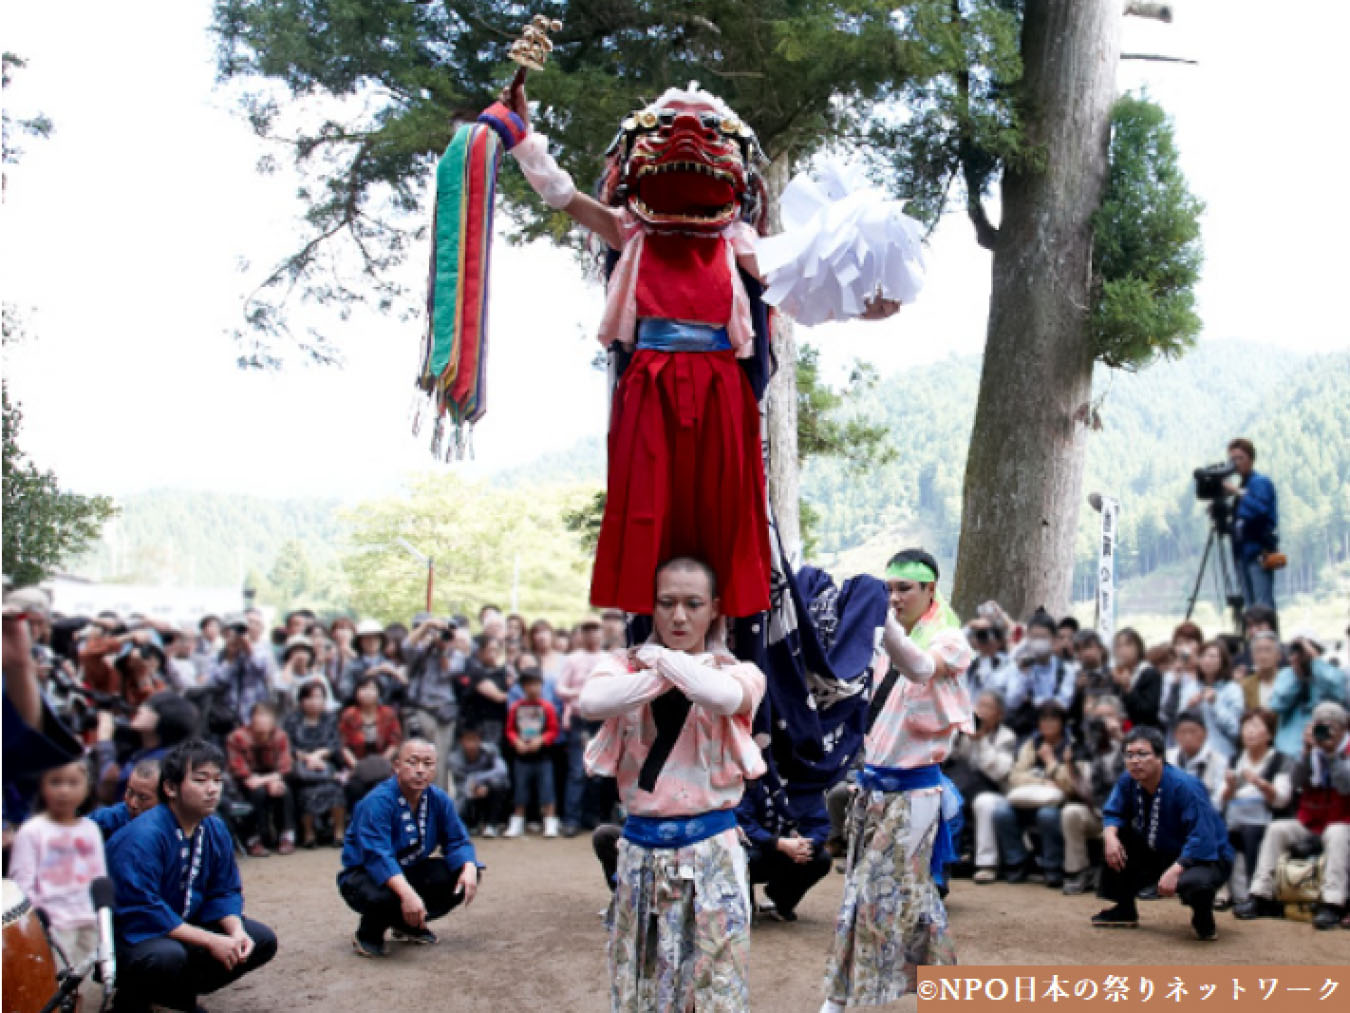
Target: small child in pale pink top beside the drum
[(56, 857)]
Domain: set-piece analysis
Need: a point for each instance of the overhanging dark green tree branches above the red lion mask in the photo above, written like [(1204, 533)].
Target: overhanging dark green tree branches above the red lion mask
[(804, 74)]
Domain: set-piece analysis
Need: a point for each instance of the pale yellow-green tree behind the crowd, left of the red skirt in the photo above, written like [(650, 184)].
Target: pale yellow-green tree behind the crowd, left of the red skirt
[(476, 534)]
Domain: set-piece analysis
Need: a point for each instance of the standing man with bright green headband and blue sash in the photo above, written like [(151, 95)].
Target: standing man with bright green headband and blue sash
[(893, 918)]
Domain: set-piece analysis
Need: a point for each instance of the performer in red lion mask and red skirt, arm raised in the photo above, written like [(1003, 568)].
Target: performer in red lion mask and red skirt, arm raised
[(682, 206)]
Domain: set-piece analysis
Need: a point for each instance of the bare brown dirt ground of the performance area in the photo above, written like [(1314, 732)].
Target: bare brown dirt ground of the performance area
[(534, 939)]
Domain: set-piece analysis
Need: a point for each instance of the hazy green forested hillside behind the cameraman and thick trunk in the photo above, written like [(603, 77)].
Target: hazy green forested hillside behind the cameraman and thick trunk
[(1158, 427)]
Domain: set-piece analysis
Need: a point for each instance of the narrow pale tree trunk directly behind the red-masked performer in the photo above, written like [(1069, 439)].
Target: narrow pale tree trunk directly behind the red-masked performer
[(785, 467)]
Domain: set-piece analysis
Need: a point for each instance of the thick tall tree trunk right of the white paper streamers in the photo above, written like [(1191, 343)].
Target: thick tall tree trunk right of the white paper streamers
[(1024, 472)]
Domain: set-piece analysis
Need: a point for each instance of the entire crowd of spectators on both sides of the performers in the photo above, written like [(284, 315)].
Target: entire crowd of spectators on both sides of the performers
[(310, 717)]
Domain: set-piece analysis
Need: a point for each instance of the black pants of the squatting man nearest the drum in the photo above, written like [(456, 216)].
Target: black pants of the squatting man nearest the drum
[(169, 973)]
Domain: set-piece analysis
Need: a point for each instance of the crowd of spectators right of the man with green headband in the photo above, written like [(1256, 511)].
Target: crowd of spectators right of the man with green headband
[(1259, 721)]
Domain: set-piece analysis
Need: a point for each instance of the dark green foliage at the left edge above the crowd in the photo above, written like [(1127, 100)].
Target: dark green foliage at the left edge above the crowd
[(44, 525)]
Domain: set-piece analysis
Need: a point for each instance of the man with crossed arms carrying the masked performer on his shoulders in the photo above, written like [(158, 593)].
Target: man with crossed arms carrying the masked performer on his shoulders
[(677, 737)]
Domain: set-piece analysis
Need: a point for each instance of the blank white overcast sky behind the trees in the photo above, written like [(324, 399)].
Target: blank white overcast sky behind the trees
[(126, 232)]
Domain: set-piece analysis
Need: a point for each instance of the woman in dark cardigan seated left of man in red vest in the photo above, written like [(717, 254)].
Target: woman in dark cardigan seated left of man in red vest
[(1258, 789)]
